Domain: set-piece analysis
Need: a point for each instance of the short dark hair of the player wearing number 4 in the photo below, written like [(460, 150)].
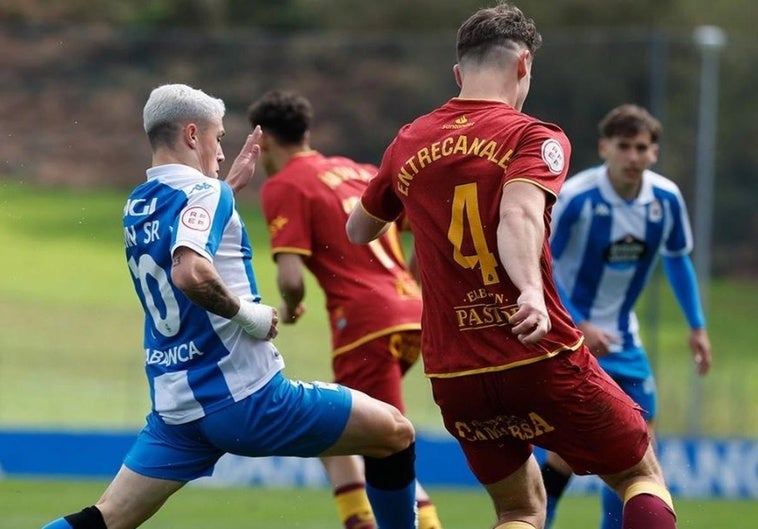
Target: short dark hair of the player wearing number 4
[(501, 25)]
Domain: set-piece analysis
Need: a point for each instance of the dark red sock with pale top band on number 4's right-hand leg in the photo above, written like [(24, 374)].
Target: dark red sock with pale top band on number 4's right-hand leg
[(648, 506)]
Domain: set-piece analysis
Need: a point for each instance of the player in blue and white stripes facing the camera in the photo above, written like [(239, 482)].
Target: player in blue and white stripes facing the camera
[(610, 225)]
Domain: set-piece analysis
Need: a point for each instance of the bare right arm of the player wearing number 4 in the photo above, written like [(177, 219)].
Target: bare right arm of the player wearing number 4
[(520, 236)]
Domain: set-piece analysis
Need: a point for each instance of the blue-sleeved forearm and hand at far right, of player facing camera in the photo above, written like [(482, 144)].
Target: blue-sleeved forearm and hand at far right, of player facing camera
[(681, 275)]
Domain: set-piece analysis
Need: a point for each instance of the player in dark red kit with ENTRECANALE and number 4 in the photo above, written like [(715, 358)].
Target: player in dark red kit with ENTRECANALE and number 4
[(477, 179)]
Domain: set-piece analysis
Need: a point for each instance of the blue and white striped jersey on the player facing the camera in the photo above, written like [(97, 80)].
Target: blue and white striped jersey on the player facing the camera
[(605, 248)]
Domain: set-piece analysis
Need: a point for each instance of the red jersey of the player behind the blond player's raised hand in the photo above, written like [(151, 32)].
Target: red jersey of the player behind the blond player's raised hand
[(368, 290)]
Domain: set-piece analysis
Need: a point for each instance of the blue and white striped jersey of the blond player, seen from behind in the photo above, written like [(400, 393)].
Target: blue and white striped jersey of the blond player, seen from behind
[(196, 362)]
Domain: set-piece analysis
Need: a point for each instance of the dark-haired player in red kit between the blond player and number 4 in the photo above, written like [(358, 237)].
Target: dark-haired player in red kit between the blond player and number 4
[(374, 304)]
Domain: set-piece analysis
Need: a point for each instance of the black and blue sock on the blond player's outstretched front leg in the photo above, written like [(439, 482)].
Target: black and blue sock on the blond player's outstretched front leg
[(391, 489)]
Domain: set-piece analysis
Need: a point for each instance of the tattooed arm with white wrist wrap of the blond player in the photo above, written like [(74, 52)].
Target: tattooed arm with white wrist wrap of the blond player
[(198, 279)]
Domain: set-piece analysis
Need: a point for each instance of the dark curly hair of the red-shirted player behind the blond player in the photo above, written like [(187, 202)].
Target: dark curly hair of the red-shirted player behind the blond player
[(285, 115)]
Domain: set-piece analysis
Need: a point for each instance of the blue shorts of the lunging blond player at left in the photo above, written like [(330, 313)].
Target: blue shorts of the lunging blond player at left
[(284, 418)]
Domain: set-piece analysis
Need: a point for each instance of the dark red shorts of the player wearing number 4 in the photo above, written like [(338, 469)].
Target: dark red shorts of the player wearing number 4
[(566, 404)]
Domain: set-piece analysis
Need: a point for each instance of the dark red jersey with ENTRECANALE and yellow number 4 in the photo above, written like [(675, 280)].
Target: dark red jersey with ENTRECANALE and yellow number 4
[(446, 170)]
